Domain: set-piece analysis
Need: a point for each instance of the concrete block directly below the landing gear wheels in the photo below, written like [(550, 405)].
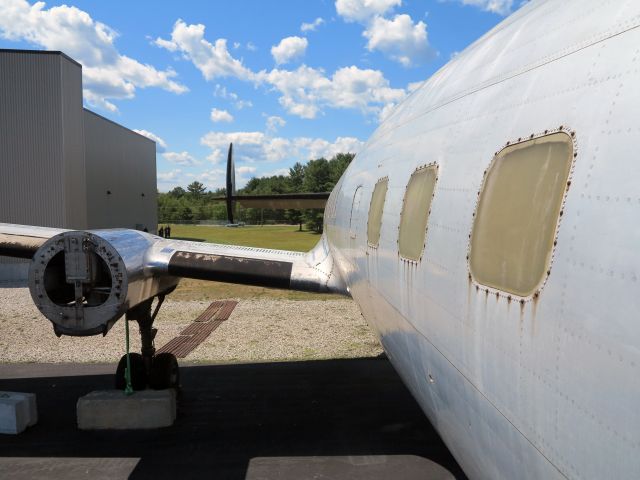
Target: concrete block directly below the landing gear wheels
[(113, 410)]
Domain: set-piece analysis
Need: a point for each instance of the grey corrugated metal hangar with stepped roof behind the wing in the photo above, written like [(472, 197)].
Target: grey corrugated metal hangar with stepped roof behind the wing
[(62, 165)]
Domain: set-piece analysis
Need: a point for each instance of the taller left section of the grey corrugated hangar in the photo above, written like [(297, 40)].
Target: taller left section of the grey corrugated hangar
[(42, 175)]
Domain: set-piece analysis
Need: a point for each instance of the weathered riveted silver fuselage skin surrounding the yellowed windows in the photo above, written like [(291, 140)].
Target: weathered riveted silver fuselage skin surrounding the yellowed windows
[(547, 389)]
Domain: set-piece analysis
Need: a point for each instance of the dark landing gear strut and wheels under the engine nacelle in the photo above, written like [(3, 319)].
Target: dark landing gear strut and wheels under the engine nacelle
[(157, 371)]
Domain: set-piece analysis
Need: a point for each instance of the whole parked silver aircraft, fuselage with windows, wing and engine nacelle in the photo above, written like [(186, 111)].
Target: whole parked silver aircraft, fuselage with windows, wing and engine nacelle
[(488, 231)]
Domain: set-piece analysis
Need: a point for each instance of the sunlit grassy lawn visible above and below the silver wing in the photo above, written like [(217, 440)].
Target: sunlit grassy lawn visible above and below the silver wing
[(278, 237)]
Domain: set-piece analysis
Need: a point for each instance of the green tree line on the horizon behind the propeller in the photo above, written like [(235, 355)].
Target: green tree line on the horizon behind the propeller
[(194, 203)]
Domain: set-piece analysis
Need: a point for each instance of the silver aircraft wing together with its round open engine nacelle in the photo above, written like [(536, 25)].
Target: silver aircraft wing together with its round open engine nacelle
[(84, 280)]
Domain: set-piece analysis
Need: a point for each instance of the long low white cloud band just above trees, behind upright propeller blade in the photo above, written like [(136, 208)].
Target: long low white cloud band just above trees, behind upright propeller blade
[(251, 147)]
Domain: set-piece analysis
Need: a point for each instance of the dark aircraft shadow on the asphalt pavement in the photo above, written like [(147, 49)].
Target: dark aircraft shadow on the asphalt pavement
[(229, 417)]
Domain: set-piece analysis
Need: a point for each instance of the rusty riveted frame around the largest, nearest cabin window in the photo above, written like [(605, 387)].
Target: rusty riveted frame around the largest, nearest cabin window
[(509, 147)]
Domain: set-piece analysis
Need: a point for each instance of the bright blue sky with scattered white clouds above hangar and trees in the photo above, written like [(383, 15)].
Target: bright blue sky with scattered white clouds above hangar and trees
[(284, 80)]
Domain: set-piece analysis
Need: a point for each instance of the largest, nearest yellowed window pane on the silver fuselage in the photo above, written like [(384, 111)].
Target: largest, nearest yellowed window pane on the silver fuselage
[(518, 210)]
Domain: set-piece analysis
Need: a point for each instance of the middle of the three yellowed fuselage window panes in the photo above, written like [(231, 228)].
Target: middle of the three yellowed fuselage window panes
[(415, 212)]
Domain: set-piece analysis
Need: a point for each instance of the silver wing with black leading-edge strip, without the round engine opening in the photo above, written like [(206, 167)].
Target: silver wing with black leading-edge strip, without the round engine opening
[(311, 271)]
